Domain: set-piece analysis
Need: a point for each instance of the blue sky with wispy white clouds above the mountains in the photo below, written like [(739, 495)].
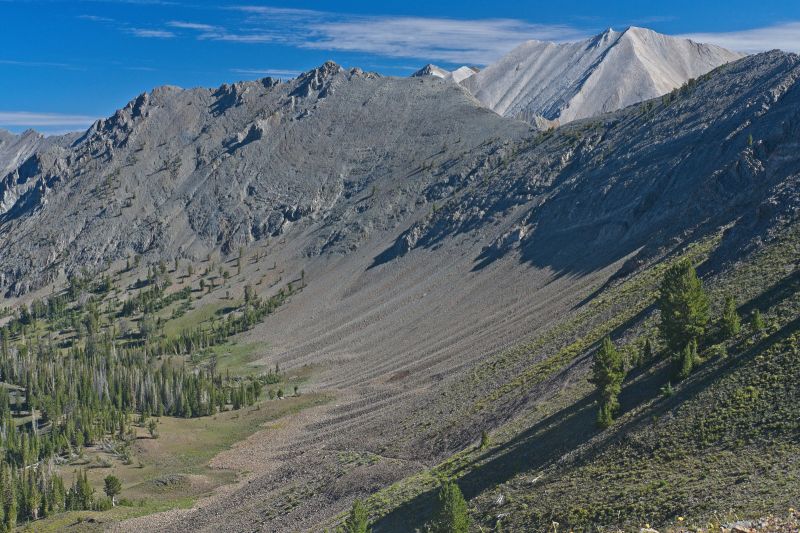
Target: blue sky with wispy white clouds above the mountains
[(65, 63)]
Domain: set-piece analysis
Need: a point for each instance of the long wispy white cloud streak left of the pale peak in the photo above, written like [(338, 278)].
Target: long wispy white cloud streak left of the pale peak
[(450, 40)]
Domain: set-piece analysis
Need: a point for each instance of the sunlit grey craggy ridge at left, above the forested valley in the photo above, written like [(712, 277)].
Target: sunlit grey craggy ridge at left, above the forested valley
[(181, 172)]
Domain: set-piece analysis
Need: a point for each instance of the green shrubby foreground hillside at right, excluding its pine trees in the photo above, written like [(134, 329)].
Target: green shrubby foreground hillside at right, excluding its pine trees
[(718, 446)]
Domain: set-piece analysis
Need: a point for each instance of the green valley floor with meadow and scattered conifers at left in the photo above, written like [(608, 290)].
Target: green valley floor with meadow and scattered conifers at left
[(162, 458)]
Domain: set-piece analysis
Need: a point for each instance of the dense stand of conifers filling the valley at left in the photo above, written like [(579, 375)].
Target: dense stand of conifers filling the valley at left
[(58, 396)]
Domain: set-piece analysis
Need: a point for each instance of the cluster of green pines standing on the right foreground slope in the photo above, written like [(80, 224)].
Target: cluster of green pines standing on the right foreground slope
[(685, 329)]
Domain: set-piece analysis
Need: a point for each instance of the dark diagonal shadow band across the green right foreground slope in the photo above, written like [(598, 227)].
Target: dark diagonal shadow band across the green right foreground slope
[(566, 432)]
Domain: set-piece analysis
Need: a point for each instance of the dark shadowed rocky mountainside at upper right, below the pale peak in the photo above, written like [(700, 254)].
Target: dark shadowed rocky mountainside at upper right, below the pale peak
[(719, 150)]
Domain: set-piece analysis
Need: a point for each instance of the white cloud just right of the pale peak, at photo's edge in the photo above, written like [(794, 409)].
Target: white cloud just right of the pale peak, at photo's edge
[(785, 36)]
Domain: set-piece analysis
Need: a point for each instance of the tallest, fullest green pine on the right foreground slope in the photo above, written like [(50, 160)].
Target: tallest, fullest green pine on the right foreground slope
[(684, 306)]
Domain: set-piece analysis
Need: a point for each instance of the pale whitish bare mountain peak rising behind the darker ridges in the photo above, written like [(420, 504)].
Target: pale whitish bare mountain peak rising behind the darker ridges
[(549, 83)]
